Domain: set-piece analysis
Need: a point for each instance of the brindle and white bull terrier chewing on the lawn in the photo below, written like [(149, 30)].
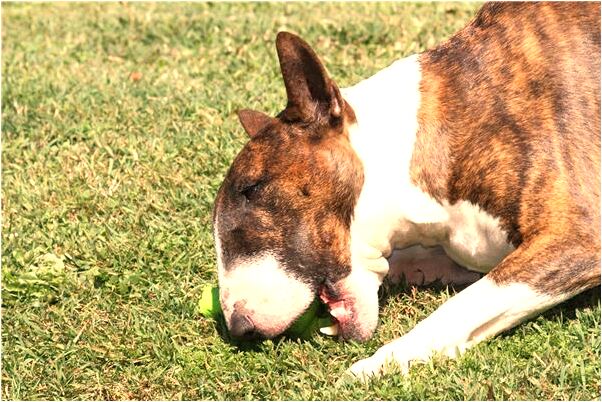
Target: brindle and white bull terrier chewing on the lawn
[(481, 154)]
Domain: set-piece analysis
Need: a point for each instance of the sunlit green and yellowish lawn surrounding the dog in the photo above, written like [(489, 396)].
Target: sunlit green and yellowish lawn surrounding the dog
[(117, 128)]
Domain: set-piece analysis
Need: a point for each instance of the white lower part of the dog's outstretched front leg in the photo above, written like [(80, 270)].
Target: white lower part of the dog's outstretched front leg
[(482, 310)]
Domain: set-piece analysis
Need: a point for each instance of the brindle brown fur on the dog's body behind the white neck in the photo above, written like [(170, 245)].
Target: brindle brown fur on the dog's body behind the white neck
[(510, 121)]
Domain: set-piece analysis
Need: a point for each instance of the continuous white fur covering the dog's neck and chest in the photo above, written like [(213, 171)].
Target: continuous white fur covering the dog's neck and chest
[(391, 212)]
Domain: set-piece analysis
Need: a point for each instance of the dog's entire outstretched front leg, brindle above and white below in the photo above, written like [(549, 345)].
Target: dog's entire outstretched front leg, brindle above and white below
[(530, 280)]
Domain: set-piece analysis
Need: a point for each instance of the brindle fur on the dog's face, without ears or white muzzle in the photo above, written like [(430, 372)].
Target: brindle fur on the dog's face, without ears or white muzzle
[(293, 211)]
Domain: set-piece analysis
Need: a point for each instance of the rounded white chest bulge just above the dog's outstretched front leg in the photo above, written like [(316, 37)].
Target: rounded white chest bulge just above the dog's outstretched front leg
[(473, 238)]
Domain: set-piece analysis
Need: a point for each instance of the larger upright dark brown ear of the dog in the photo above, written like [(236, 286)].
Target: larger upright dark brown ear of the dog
[(308, 87)]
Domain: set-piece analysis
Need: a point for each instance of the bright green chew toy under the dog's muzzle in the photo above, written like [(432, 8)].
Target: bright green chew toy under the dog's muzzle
[(304, 327)]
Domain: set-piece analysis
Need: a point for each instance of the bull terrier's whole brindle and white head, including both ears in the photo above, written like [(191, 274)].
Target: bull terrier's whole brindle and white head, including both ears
[(282, 216)]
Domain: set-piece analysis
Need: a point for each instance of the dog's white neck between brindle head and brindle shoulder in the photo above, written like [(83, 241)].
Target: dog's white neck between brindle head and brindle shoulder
[(391, 210)]
